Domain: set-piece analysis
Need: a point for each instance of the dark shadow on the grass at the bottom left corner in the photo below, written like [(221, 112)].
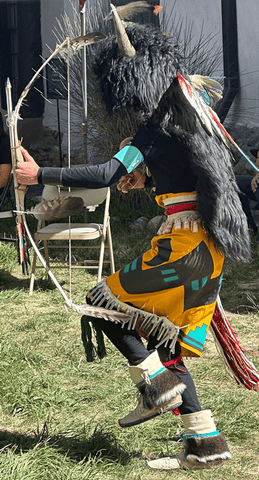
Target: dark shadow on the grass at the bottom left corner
[(77, 447)]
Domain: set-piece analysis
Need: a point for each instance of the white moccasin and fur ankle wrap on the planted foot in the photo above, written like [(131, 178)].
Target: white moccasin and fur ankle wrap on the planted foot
[(205, 446)]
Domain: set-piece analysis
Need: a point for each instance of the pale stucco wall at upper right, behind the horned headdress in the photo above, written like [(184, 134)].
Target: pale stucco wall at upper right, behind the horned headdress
[(206, 14)]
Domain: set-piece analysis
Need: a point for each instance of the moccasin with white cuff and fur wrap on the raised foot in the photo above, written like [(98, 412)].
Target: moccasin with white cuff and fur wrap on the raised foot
[(159, 391)]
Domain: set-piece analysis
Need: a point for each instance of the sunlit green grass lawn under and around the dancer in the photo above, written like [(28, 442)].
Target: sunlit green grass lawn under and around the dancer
[(59, 413)]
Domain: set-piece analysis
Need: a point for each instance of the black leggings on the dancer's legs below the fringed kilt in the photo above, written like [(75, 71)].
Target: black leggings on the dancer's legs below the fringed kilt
[(129, 343)]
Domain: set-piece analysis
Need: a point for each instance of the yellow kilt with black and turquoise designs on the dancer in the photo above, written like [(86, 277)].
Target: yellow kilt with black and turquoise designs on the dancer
[(178, 278)]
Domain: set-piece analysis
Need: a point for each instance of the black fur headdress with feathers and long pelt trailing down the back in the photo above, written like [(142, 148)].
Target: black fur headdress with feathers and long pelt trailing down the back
[(149, 83)]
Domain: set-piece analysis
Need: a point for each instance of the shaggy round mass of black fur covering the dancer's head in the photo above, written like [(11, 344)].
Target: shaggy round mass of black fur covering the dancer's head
[(138, 81)]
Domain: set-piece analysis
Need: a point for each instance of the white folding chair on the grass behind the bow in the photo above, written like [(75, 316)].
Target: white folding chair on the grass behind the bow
[(51, 196)]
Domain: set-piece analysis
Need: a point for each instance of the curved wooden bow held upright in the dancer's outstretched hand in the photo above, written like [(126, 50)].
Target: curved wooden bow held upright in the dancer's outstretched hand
[(13, 116)]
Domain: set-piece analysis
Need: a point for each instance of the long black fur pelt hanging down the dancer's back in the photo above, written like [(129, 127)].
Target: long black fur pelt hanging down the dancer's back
[(211, 161)]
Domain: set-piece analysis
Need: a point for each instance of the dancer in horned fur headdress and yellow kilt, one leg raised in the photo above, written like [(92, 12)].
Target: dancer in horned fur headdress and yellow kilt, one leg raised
[(170, 291)]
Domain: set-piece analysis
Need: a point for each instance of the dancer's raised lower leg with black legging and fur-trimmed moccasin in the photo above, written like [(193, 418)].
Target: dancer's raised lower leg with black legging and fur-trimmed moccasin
[(159, 387)]
